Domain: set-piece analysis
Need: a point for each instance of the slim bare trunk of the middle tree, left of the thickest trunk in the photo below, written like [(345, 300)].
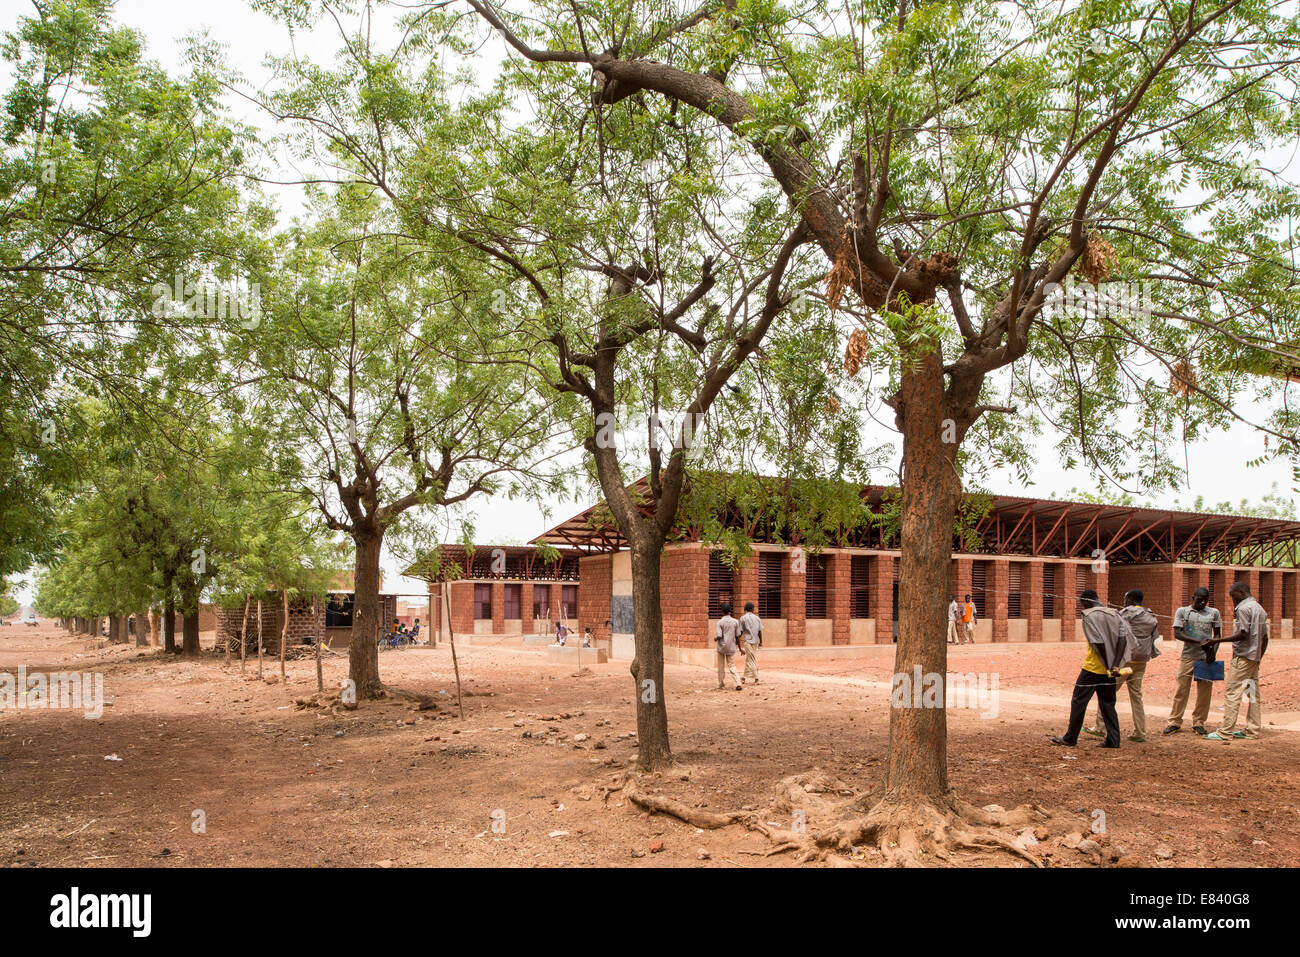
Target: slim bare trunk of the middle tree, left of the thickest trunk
[(648, 664)]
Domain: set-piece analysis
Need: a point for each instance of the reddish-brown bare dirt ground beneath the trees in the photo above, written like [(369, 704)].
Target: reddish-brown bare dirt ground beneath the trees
[(513, 785)]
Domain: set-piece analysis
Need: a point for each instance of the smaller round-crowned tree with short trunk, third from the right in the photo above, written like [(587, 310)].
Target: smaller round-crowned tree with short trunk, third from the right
[(382, 423)]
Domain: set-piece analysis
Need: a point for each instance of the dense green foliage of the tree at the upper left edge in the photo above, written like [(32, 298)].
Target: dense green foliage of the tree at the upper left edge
[(116, 177)]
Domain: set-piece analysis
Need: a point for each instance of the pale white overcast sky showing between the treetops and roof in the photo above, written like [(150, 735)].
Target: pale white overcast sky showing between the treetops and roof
[(1216, 469)]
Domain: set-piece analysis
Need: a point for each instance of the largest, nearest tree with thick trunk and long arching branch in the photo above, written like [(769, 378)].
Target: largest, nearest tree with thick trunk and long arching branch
[(957, 163)]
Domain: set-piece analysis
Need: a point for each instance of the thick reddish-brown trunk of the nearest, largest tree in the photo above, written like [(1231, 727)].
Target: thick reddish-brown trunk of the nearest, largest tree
[(918, 737)]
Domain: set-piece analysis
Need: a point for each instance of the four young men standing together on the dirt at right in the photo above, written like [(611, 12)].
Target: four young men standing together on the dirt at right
[(1121, 643)]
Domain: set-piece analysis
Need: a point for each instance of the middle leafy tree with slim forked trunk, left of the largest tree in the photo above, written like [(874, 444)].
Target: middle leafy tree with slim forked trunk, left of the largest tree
[(629, 287)]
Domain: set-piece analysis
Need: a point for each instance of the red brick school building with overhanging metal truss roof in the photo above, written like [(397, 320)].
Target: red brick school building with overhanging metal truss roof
[(1035, 557)]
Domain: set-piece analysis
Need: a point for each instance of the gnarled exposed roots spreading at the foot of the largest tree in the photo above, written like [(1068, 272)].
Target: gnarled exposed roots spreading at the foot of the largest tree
[(904, 833)]
